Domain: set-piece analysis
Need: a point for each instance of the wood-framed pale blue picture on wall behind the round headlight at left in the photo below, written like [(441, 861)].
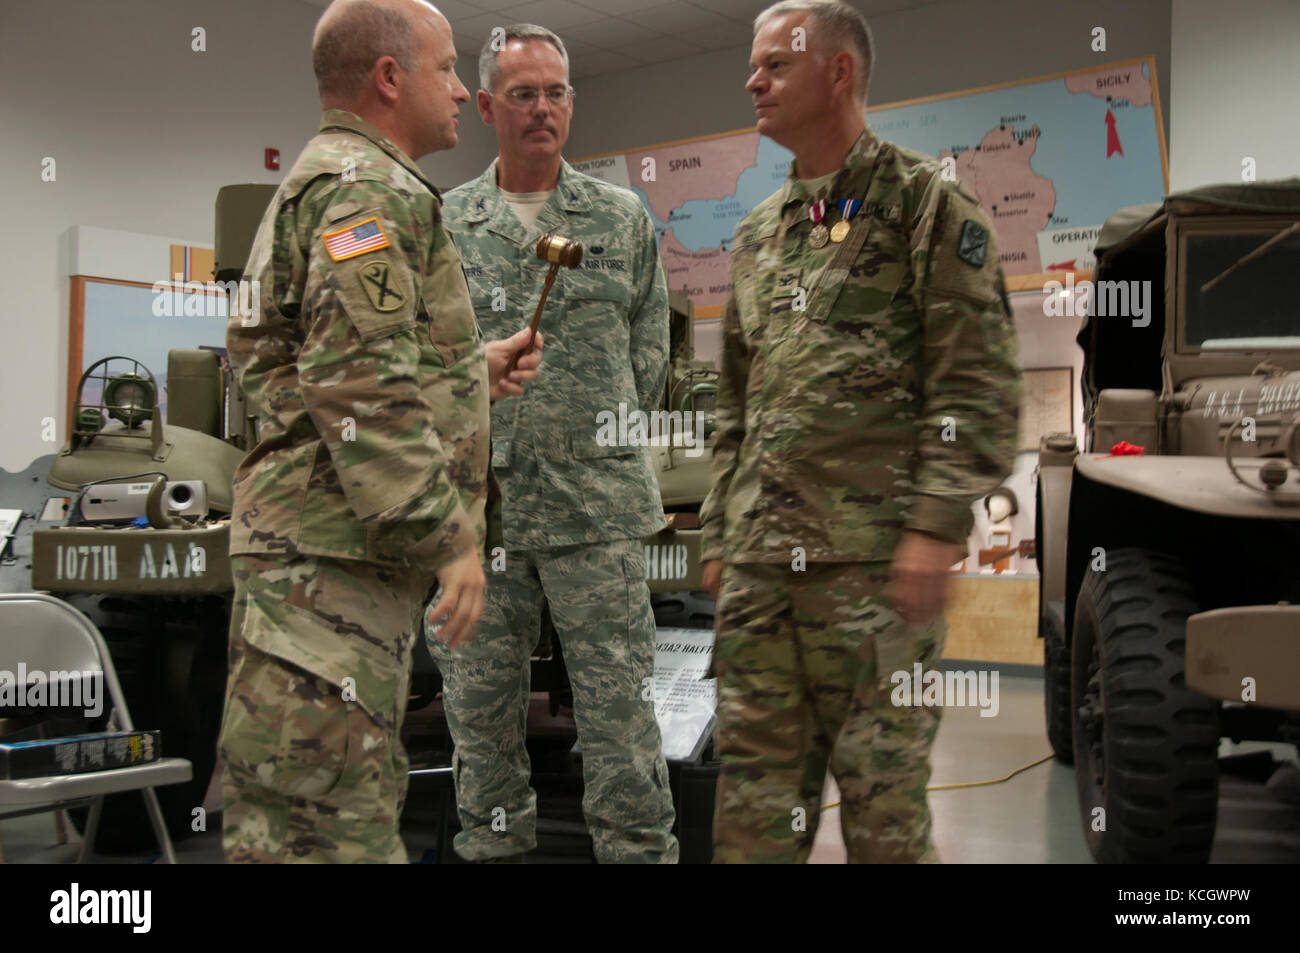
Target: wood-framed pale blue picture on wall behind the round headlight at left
[(131, 319)]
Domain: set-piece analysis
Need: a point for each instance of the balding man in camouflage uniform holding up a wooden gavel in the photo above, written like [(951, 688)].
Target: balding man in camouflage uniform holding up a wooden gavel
[(367, 374)]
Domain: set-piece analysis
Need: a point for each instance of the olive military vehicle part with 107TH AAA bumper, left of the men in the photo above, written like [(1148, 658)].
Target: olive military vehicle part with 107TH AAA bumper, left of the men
[(135, 535)]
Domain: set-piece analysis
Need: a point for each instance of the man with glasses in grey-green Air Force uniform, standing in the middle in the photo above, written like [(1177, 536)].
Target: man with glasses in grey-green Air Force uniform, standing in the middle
[(574, 509)]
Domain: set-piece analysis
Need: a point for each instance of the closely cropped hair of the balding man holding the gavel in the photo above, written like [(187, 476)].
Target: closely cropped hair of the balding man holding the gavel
[(346, 47)]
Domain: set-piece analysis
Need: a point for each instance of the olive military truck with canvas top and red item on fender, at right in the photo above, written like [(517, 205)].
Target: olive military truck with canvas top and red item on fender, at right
[(1171, 588)]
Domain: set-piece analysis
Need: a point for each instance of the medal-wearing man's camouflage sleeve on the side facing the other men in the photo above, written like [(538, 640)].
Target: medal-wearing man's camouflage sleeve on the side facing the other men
[(730, 424)]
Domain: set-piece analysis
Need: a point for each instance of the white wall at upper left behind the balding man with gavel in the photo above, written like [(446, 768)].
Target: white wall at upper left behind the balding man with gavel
[(144, 132)]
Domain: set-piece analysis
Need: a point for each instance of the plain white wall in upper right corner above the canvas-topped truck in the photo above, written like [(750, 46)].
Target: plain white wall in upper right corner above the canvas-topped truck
[(1234, 90)]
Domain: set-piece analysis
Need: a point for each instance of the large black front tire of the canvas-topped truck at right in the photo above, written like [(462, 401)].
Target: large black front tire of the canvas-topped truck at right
[(1146, 747)]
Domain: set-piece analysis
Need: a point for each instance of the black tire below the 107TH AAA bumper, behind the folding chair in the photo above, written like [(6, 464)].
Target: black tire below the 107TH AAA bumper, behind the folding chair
[(171, 660)]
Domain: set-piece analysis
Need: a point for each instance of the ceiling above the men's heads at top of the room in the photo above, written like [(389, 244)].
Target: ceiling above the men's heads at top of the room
[(612, 36)]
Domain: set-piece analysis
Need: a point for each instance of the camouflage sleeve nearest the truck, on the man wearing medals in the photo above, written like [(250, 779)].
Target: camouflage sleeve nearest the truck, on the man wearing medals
[(972, 363)]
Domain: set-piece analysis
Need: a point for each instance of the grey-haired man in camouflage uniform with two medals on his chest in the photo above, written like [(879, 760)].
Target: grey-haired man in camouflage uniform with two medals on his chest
[(869, 397)]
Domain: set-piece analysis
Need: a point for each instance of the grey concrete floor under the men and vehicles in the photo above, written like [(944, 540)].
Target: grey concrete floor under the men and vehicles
[(1029, 820)]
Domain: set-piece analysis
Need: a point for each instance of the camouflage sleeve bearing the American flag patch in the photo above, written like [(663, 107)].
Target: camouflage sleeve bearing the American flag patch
[(359, 376)]
